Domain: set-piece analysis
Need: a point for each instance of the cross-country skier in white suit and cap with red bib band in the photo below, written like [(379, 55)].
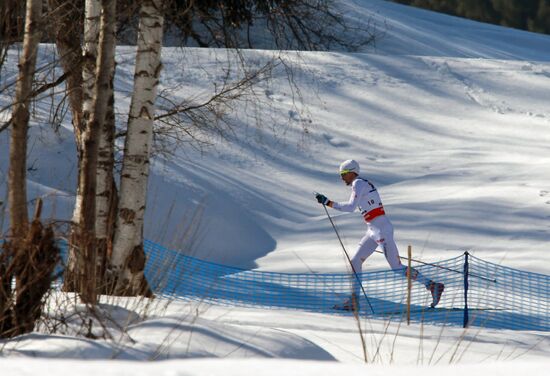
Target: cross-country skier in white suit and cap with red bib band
[(379, 232)]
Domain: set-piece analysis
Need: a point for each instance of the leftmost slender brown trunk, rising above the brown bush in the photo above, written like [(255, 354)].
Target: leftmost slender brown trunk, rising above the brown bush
[(17, 185)]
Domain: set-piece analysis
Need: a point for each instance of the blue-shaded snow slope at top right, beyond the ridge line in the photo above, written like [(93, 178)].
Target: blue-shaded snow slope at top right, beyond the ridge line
[(413, 31)]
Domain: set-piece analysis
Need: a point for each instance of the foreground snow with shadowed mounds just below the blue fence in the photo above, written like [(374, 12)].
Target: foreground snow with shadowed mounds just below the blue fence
[(183, 330)]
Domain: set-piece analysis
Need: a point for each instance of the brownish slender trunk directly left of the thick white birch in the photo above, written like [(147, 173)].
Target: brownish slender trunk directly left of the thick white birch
[(90, 265)]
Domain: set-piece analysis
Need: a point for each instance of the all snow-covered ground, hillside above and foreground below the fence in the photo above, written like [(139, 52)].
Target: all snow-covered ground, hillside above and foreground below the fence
[(448, 117)]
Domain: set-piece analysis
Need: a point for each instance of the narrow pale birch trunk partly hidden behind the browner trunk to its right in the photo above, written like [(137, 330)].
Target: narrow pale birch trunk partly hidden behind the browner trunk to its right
[(89, 58)]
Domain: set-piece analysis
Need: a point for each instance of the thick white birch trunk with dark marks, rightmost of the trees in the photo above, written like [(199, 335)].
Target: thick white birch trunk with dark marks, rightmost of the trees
[(128, 259)]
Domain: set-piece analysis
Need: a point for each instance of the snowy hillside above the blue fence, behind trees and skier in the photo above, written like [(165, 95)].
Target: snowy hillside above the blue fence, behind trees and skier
[(455, 141)]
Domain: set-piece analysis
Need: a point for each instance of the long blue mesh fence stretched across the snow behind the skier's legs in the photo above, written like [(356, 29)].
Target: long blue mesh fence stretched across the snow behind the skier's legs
[(494, 296)]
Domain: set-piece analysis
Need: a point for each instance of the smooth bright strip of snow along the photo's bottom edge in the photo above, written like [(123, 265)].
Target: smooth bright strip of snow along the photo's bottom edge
[(263, 367)]
